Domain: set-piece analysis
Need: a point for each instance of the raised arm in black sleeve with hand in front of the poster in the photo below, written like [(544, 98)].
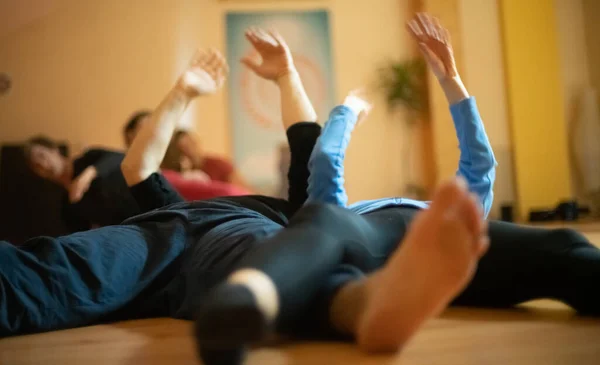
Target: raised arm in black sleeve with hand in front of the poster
[(297, 113)]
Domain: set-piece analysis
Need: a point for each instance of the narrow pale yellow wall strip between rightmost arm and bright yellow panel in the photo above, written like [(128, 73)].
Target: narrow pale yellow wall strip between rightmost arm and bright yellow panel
[(484, 75)]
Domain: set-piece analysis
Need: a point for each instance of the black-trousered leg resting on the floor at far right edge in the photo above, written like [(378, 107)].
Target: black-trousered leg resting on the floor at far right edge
[(526, 263)]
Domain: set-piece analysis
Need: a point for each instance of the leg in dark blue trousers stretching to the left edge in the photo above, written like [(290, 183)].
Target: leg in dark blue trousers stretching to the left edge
[(76, 280)]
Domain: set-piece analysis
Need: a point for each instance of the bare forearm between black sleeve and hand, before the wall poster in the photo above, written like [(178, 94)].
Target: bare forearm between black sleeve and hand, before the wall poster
[(295, 104)]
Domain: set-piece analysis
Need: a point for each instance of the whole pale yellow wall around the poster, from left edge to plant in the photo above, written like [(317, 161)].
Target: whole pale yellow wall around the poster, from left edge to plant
[(80, 72)]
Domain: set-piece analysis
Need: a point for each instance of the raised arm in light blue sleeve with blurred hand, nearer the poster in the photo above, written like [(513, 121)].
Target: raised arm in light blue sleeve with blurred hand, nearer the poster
[(326, 181)]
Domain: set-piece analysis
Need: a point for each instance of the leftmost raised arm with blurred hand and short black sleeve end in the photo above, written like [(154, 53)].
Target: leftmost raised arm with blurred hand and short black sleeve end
[(204, 76)]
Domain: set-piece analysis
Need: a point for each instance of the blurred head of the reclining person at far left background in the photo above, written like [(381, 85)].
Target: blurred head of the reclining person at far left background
[(45, 159)]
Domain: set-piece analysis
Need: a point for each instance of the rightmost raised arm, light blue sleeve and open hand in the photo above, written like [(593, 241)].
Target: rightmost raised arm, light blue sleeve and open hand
[(477, 163)]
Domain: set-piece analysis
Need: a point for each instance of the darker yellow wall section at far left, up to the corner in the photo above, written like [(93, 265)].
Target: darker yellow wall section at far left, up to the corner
[(81, 71)]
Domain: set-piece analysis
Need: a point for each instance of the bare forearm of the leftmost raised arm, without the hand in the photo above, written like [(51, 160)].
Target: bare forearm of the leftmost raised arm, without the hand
[(150, 145)]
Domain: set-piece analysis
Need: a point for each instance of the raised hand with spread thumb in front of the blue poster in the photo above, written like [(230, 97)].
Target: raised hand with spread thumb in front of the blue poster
[(276, 57)]
